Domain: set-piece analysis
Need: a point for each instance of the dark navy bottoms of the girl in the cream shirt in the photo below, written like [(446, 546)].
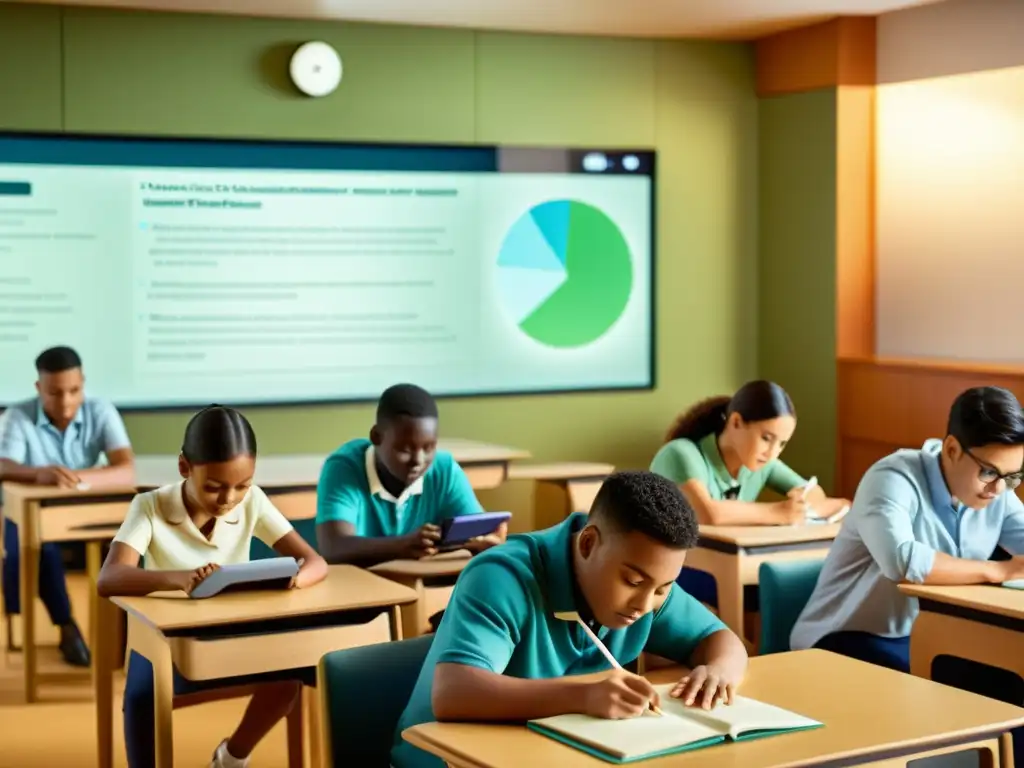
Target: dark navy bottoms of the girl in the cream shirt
[(141, 737)]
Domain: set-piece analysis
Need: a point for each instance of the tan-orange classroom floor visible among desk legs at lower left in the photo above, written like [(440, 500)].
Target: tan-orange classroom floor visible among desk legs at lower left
[(60, 730)]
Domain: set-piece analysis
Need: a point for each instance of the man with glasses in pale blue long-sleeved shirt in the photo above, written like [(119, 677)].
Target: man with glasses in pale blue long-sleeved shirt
[(944, 515)]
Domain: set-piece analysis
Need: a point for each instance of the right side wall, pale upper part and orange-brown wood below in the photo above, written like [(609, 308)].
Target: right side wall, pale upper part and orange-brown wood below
[(950, 156)]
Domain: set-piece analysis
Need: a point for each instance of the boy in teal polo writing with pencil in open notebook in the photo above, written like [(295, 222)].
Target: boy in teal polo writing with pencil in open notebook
[(502, 656)]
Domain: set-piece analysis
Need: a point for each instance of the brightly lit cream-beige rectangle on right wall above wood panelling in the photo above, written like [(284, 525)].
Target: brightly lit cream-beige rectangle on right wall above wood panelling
[(951, 218)]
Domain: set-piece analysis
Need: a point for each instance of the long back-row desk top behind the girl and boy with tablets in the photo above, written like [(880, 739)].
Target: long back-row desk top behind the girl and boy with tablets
[(280, 472)]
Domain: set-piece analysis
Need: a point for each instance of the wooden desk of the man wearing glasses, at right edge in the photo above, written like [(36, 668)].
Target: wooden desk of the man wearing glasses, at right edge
[(984, 624)]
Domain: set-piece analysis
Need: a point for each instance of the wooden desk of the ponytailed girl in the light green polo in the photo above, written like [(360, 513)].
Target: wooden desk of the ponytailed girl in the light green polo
[(734, 556)]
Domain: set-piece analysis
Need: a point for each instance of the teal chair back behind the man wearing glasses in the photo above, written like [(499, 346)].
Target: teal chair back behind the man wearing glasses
[(786, 588)]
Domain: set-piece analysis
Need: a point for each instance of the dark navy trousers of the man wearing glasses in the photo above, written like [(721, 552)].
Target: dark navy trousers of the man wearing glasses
[(894, 653)]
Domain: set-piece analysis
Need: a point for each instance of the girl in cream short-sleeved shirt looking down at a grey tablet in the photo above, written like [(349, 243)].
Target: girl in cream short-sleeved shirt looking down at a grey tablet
[(186, 532)]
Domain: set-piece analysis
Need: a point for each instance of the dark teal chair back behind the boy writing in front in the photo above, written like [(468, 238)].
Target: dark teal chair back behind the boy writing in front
[(364, 693)]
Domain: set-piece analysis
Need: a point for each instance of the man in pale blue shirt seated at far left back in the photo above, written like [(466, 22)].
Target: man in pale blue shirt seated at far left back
[(59, 439)]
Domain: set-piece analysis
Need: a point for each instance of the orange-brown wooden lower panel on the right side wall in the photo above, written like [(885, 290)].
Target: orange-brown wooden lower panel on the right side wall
[(885, 405)]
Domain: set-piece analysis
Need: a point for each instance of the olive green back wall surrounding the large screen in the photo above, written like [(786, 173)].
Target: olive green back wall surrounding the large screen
[(101, 71)]
